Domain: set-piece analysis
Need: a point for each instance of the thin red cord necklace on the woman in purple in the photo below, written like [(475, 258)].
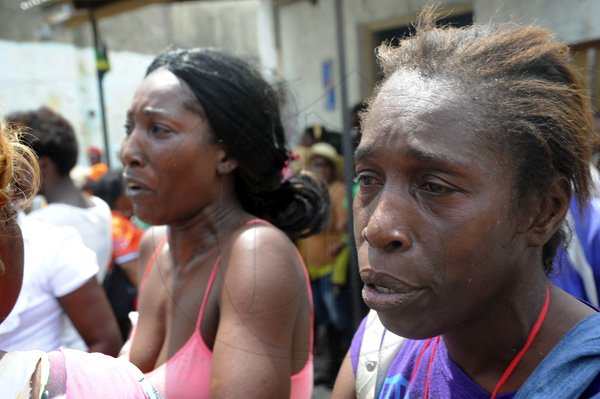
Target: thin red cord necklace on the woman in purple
[(509, 369)]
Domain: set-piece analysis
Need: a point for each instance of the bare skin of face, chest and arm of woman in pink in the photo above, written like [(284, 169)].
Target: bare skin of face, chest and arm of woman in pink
[(256, 340)]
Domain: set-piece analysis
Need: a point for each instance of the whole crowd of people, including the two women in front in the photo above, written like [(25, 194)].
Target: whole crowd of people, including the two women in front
[(215, 261)]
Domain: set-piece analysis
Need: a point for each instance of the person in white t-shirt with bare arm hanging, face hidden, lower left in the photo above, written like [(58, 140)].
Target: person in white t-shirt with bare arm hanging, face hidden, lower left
[(58, 282)]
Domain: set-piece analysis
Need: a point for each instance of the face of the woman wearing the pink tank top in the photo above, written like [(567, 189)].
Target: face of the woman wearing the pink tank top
[(169, 154)]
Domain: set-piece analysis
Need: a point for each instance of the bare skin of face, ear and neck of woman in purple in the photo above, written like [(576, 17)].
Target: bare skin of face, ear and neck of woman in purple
[(441, 249)]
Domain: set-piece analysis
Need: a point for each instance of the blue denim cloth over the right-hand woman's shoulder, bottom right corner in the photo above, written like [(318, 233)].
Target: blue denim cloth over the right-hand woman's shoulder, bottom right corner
[(570, 367)]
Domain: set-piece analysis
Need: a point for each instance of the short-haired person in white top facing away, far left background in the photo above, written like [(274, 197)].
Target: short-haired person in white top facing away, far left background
[(53, 140)]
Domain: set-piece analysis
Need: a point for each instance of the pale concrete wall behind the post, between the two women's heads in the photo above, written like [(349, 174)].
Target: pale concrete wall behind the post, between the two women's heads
[(309, 39)]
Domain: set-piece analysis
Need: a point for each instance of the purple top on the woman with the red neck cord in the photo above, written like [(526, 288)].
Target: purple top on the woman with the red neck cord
[(446, 380)]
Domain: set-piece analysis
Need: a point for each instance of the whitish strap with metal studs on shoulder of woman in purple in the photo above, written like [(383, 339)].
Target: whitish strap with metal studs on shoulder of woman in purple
[(378, 349)]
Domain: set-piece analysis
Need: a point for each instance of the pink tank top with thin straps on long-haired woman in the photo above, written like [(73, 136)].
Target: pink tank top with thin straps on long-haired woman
[(187, 373)]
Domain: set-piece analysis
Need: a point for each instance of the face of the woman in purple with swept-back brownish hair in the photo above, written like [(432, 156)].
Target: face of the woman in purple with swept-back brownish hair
[(437, 239)]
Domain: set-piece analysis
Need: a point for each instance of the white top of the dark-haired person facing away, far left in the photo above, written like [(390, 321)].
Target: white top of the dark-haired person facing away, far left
[(93, 224)]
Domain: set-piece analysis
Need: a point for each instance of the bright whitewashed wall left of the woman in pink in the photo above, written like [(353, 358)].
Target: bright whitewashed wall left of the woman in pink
[(63, 77)]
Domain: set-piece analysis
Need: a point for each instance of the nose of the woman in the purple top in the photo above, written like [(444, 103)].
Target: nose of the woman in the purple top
[(387, 226)]
